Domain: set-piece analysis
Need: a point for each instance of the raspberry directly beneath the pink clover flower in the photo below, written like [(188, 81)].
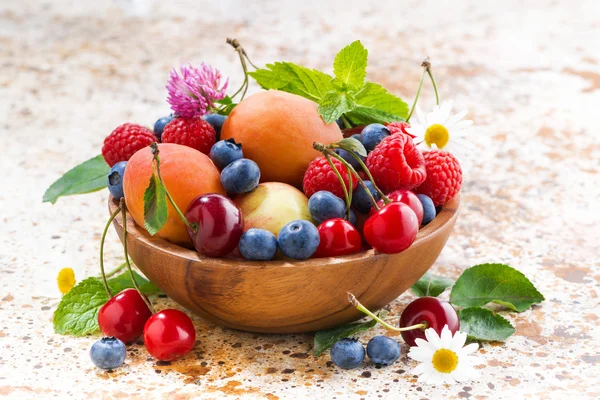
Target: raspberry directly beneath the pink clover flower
[(192, 132)]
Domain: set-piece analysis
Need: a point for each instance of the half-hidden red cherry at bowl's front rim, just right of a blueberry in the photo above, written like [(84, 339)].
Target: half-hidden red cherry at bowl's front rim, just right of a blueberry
[(338, 237)]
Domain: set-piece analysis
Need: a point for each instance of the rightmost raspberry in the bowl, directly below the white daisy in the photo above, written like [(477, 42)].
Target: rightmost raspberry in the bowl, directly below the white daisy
[(444, 177)]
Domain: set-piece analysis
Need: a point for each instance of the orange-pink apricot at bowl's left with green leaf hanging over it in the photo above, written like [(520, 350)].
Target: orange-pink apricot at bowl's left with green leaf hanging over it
[(186, 173)]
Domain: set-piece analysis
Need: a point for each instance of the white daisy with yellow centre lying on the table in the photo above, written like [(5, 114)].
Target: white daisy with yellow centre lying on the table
[(443, 358)]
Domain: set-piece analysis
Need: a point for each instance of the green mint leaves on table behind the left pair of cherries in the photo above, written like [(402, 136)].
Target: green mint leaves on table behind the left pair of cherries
[(77, 312)]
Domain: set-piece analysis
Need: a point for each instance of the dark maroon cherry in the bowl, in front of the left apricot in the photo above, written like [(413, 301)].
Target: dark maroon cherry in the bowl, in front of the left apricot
[(220, 224)]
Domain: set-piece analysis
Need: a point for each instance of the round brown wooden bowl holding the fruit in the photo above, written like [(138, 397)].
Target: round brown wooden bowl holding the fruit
[(283, 296)]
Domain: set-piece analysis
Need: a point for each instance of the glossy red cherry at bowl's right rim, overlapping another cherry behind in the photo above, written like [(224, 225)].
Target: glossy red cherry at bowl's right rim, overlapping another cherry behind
[(392, 229)]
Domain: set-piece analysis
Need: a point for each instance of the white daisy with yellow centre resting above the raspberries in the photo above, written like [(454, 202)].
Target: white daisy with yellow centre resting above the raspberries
[(439, 130)]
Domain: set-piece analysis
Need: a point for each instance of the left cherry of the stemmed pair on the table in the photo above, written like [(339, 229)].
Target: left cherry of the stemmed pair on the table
[(124, 316)]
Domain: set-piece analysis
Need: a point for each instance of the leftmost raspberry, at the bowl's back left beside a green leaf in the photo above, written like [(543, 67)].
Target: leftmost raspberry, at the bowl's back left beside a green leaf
[(125, 141)]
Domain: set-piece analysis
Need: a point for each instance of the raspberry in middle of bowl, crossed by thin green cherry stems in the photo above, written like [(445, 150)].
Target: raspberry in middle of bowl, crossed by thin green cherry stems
[(320, 176)]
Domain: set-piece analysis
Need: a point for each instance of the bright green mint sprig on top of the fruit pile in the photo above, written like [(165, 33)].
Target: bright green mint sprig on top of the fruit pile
[(346, 95)]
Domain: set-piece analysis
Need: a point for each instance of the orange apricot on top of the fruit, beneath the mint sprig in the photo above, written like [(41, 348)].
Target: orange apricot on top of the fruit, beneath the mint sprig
[(277, 131)]
